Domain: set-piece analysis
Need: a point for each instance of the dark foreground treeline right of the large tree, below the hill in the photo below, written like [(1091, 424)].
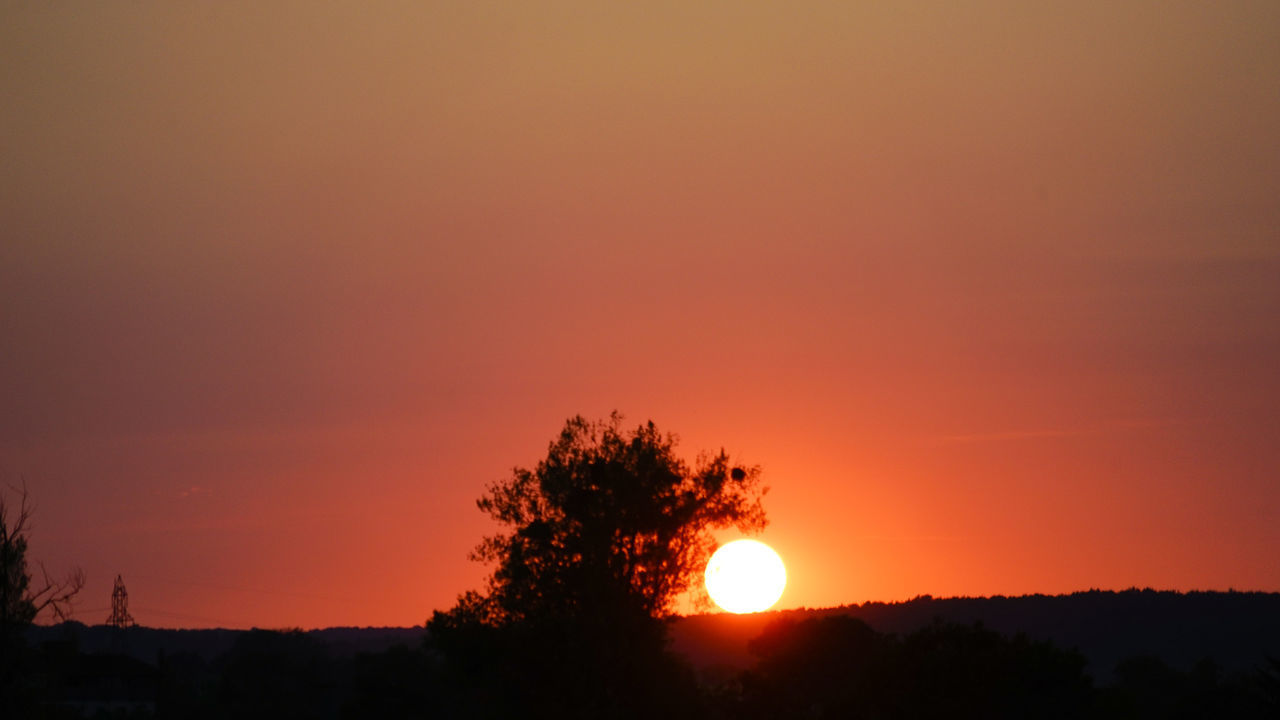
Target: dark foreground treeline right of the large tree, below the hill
[(839, 667)]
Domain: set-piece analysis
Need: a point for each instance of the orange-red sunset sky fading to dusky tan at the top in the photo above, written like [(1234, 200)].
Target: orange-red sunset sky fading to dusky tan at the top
[(989, 290)]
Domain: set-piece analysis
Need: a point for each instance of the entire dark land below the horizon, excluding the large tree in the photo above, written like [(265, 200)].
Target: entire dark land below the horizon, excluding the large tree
[(1133, 654)]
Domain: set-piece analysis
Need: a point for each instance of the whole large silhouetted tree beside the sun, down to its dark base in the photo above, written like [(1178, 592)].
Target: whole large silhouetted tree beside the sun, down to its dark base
[(604, 536)]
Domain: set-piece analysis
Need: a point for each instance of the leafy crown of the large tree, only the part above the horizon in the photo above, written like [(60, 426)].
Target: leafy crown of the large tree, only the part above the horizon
[(610, 520)]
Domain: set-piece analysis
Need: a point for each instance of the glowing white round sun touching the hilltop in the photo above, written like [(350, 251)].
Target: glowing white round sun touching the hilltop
[(746, 577)]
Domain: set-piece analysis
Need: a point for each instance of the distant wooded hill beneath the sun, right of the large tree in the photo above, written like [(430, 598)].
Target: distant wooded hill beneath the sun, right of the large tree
[(1235, 630)]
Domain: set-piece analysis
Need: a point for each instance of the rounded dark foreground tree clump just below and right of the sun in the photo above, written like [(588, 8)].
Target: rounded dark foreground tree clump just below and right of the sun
[(839, 667)]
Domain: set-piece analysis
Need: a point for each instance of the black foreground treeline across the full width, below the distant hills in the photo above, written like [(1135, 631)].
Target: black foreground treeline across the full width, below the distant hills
[(819, 667)]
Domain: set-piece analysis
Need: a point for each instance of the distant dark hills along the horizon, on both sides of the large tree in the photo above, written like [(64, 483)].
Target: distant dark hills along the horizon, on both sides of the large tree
[(1236, 630)]
